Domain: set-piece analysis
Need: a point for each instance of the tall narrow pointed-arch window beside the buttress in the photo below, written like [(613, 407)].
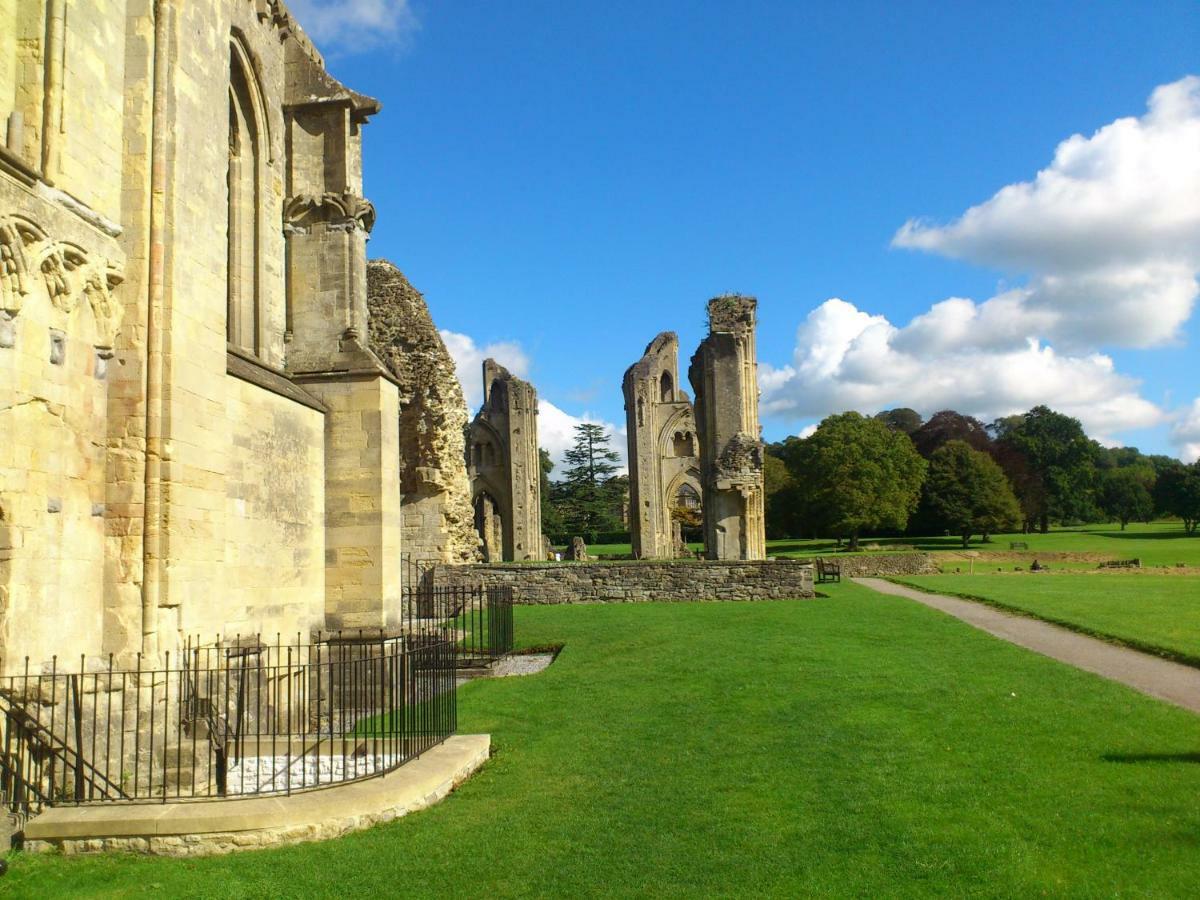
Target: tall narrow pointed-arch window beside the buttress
[(244, 194)]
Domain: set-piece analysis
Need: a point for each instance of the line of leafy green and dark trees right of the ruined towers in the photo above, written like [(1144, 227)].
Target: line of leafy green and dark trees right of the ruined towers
[(898, 473)]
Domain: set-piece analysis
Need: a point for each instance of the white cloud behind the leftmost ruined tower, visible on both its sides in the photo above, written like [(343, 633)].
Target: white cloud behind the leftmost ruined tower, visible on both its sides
[(556, 428)]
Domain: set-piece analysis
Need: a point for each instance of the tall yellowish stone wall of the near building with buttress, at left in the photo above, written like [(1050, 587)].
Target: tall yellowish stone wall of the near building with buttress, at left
[(183, 269)]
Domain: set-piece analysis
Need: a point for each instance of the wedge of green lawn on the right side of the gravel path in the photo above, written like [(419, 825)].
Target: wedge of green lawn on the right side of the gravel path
[(1156, 613)]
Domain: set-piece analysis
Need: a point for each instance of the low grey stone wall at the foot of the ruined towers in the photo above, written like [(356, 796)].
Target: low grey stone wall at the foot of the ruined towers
[(622, 583)]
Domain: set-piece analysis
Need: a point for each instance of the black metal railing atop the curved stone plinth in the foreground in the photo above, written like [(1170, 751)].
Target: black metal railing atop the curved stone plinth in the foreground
[(225, 721)]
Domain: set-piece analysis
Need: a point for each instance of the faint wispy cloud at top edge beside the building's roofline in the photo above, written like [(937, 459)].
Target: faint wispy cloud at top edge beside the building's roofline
[(346, 27)]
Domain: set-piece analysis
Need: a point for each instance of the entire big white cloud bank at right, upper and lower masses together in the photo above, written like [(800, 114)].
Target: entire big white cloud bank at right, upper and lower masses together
[(1107, 241)]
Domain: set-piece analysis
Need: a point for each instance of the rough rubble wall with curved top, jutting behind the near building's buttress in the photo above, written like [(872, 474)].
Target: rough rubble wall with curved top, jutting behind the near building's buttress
[(436, 511)]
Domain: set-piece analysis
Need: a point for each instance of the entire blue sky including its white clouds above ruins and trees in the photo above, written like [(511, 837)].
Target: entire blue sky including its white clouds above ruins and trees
[(566, 181)]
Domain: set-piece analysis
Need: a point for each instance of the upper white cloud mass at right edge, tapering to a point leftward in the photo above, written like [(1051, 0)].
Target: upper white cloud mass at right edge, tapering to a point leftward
[(1108, 235)]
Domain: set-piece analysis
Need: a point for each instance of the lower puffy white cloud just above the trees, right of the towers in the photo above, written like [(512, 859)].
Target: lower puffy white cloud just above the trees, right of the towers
[(848, 359)]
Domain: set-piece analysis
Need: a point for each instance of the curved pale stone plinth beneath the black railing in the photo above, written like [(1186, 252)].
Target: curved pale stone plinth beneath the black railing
[(200, 829)]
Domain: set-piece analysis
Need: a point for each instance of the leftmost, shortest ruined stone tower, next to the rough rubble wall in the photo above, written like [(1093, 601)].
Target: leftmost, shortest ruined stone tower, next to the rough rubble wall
[(505, 470)]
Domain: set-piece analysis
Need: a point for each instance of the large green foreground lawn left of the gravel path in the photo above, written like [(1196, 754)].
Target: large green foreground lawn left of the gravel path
[(856, 746)]
